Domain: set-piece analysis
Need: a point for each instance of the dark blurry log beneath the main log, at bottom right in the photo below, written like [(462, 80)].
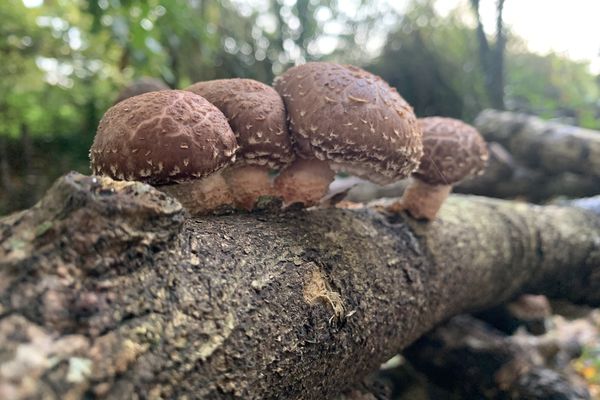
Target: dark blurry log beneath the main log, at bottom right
[(467, 357)]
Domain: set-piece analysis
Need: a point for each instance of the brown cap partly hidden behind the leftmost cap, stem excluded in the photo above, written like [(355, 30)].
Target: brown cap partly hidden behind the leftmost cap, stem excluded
[(256, 114)]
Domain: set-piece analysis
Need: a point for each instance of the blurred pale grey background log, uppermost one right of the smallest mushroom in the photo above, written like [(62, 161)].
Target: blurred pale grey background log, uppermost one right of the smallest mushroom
[(548, 146)]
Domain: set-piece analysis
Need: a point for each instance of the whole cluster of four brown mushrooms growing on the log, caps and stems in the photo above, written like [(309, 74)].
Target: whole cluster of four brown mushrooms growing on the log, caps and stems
[(227, 142)]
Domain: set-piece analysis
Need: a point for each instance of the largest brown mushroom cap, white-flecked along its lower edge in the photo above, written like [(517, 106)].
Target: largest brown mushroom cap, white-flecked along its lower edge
[(351, 118)]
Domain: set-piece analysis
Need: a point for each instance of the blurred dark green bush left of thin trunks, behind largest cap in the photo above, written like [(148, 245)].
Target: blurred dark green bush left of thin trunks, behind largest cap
[(433, 63)]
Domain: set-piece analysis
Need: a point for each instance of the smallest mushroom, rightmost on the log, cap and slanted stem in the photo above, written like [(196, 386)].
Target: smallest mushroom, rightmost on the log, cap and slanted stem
[(453, 151)]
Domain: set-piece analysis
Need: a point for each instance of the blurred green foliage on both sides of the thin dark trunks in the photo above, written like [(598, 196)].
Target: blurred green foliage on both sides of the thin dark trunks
[(433, 61)]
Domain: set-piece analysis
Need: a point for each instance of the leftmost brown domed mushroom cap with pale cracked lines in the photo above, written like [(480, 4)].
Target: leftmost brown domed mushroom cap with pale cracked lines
[(162, 137)]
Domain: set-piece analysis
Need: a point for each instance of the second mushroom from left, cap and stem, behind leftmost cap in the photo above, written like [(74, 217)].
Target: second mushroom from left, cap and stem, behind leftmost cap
[(256, 114)]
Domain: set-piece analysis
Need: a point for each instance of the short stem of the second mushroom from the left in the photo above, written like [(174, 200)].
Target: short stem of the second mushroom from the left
[(247, 183)]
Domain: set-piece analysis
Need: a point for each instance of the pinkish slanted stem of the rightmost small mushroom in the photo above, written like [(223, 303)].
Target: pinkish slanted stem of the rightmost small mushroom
[(421, 200)]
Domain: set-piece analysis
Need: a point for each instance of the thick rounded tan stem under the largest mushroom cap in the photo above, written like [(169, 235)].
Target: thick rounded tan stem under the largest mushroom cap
[(306, 181)]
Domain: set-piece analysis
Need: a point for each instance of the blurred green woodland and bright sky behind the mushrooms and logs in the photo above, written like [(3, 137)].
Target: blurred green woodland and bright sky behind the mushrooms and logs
[(64, 62)]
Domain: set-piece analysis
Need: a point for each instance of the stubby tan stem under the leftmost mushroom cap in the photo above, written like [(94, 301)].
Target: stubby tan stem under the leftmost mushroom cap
[(201, 196)]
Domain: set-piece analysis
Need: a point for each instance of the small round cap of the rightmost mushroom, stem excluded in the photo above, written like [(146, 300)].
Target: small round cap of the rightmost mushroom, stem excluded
[(453, 151)]
